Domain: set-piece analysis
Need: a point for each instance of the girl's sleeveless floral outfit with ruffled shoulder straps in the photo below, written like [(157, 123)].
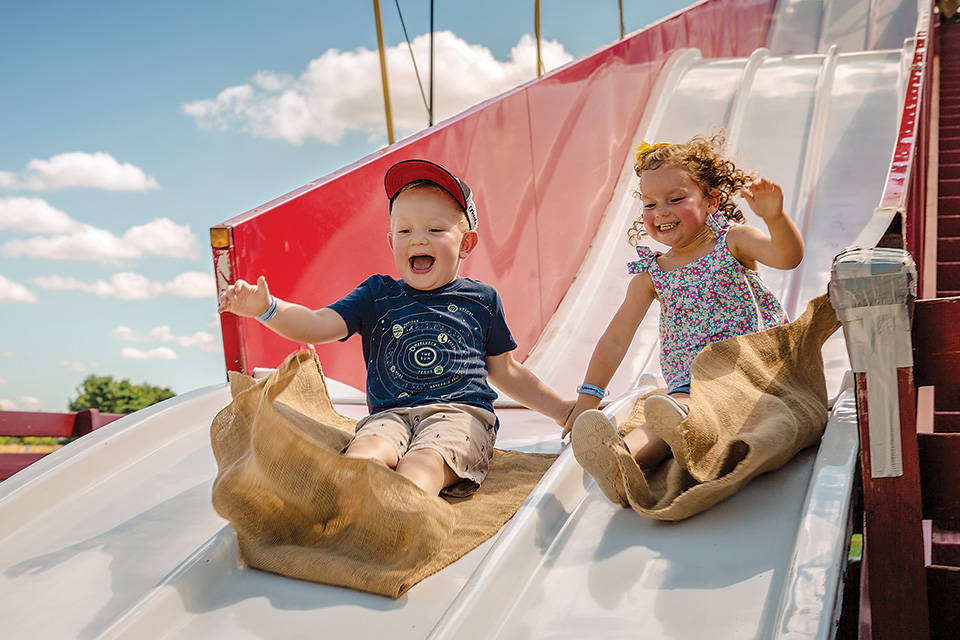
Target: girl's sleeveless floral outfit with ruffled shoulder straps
[(710, 299)]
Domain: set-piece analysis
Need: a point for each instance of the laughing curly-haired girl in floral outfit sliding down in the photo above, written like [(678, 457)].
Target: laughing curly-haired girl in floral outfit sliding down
[(707, 286)]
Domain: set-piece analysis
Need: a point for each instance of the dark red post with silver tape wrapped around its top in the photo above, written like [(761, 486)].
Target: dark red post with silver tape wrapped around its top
[(873, 291)]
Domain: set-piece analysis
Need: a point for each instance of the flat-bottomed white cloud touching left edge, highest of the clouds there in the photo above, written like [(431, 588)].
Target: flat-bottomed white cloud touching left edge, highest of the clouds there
[(79, 169)]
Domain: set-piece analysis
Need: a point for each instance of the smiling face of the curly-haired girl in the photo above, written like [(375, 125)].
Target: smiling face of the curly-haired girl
[(675, 209)]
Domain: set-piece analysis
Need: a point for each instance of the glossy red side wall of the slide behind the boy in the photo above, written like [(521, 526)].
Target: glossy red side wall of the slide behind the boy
[(542, 161)]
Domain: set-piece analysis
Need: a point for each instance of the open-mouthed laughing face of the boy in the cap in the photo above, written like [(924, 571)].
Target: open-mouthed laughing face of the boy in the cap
[(429, 237)]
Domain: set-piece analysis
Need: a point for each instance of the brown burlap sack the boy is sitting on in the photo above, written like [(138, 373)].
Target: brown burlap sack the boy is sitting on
[(302, 510)]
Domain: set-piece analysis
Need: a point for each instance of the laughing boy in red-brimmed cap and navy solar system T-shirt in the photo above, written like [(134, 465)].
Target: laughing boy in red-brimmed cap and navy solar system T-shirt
[(431, 339)]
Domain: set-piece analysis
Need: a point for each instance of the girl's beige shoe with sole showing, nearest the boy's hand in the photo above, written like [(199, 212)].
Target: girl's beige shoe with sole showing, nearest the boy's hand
[(596, 446)]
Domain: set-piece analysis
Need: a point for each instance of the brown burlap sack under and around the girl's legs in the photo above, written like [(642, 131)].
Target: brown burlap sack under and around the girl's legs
[(755, 402)]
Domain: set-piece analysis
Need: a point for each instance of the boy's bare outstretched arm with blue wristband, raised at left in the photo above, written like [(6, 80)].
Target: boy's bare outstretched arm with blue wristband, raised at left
[(292, 321)]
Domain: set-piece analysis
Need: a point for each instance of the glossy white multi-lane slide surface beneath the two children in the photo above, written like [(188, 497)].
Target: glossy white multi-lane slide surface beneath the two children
[(114, 536)]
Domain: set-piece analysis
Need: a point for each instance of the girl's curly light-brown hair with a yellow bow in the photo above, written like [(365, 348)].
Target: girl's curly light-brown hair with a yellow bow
[(703, 159)]
